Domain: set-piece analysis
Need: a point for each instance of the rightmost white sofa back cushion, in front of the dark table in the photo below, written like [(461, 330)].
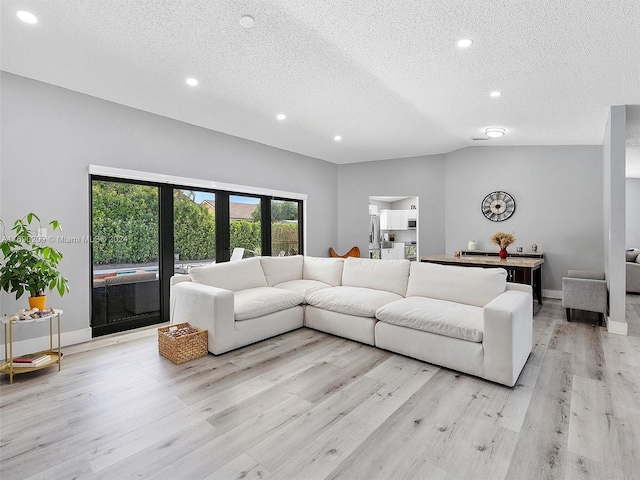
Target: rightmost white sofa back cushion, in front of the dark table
[(469, 285)]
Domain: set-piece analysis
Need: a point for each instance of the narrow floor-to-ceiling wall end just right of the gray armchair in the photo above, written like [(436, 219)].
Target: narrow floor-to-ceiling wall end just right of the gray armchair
[(614, 199)]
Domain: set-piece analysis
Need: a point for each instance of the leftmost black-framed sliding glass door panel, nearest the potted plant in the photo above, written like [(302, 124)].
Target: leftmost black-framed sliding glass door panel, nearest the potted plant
[(125, 256)]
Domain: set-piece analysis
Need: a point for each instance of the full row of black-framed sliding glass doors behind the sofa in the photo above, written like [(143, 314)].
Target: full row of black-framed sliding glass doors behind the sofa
[(143, 233)]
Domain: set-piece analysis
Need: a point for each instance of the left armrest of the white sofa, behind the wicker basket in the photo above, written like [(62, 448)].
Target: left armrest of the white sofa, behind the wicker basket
[(206, 308)]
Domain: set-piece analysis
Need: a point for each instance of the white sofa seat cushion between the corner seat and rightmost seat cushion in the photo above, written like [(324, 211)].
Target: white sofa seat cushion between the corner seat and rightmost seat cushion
[(358, 301)]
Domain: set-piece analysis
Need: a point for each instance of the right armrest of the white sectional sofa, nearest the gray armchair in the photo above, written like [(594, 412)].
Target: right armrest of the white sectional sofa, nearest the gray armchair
[(507, 335)]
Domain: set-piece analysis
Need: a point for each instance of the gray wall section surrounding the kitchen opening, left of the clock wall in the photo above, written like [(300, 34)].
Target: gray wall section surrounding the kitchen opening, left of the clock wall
[(421, 177)]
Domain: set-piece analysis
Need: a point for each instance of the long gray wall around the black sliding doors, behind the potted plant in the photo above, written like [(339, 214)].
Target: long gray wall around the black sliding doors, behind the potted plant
[(50, 135)]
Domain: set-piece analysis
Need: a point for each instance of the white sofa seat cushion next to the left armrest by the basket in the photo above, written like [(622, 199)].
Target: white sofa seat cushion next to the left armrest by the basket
[(257, 302)]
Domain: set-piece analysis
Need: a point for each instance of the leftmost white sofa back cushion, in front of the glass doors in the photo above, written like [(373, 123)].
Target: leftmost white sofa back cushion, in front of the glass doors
[(234, 276)]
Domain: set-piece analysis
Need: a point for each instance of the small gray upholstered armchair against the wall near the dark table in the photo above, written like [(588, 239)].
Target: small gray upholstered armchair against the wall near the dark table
[(585, 291)]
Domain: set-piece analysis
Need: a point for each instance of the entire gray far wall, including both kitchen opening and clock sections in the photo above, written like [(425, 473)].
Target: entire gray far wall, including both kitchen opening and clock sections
[(558, 193)]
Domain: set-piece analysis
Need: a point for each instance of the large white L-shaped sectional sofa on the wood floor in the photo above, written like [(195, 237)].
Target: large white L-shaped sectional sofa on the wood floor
[(467, 319)]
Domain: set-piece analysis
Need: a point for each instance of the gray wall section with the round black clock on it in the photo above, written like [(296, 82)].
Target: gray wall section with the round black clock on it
[(558, 194)]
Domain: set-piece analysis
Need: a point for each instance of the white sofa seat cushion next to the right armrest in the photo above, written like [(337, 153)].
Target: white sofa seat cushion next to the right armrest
[(446, 318)]
